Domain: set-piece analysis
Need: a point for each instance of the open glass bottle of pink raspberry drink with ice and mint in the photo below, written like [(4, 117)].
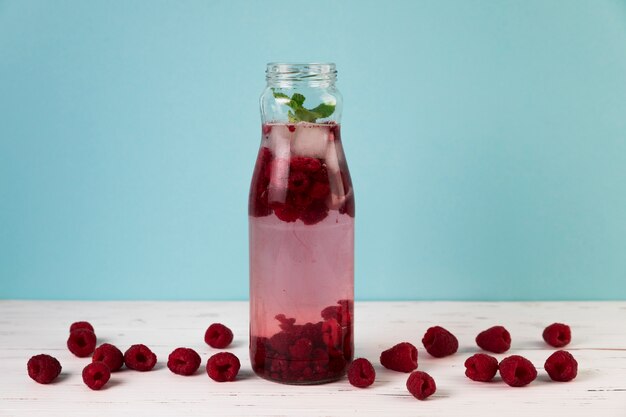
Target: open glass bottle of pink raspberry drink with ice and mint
[(301, 224)]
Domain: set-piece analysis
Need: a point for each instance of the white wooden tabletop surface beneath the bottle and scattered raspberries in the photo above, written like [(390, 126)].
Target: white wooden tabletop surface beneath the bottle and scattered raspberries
[(31, 327)]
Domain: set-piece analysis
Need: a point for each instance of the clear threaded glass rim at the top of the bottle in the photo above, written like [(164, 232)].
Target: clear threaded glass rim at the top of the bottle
[(314, 75)]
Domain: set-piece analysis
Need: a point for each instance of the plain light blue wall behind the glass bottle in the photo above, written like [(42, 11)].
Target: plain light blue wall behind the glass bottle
[(486, 140)]
